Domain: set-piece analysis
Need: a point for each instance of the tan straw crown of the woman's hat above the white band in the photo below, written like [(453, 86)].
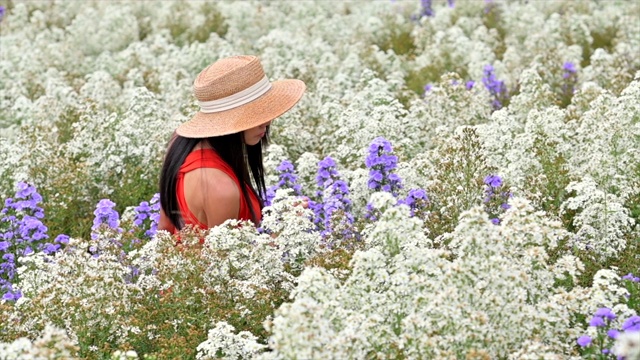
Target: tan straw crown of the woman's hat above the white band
[(227, 76)]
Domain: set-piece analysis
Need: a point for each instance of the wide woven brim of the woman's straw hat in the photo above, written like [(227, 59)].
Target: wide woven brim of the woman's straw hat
[(282, 96)]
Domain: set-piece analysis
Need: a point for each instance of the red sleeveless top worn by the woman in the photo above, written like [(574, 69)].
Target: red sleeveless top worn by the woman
[(209, 158)]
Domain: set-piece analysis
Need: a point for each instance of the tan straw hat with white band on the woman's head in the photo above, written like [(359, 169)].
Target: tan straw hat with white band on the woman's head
[(234, 95)]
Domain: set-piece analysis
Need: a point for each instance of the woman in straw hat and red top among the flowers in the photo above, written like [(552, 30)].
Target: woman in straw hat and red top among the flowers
[(213, 168)]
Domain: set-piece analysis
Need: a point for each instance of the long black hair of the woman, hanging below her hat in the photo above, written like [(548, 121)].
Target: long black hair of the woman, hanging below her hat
[(232, 150)]
